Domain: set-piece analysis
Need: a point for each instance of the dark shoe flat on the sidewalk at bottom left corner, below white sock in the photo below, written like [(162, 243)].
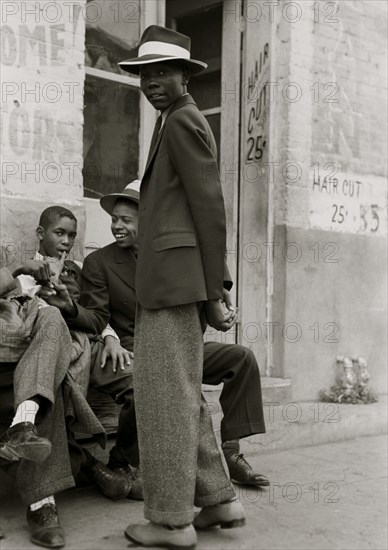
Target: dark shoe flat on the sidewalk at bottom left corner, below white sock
[(45, 528)]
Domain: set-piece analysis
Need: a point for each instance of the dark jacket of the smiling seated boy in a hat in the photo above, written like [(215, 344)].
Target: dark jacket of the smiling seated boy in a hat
[(108, 293)]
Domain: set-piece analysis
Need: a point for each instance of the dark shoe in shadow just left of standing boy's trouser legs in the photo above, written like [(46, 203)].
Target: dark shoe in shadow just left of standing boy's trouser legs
[(113, 485)]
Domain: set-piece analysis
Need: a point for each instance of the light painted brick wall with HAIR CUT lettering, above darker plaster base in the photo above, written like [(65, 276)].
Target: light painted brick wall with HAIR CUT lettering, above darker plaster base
[(331, 89)]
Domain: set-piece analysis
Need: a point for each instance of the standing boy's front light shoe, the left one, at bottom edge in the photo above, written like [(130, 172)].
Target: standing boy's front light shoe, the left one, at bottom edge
[(153, 534)]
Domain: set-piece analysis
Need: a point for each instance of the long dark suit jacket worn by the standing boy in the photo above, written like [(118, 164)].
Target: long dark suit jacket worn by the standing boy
[(182, 229)]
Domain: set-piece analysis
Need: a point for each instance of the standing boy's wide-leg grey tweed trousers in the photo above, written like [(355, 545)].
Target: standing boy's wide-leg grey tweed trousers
[(181, 461)]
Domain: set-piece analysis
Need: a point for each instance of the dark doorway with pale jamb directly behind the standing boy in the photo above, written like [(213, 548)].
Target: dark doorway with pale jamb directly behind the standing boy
[(216, 39)]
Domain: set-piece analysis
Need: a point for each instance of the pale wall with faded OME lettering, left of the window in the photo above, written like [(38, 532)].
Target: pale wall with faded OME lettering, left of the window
[(42, 121)]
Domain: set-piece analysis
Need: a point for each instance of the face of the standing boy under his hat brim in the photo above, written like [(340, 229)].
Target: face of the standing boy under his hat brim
[(163, 83)]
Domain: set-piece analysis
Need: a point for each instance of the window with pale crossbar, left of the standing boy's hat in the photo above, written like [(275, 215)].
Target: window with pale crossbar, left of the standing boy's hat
[(111, 98)]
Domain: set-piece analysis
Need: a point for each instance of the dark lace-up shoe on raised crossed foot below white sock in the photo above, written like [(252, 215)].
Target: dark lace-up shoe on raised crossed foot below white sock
[(22, 441)]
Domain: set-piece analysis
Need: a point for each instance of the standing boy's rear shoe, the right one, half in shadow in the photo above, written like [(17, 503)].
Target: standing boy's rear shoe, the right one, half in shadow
[(227, 515)]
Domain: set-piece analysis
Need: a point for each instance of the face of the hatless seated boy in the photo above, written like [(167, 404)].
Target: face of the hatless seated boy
[(58, 237)]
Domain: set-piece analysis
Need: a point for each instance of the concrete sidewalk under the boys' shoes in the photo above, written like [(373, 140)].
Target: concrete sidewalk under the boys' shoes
[(323, 497)]
